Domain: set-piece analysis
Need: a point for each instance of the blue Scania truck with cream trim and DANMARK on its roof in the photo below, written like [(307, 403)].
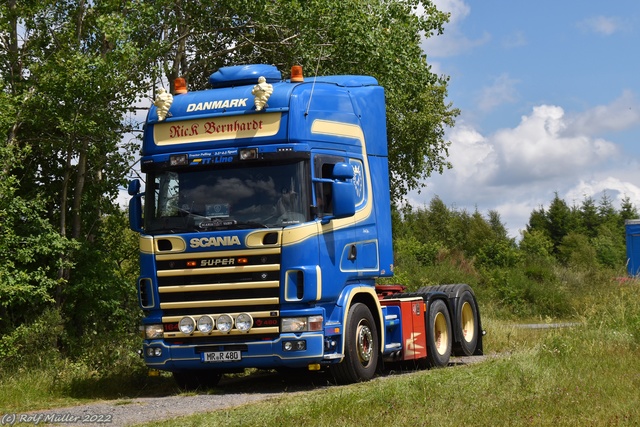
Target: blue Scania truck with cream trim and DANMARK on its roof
[(265, 225)]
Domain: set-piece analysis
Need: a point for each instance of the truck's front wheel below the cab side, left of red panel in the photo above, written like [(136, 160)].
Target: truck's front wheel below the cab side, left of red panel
[(362, 347)]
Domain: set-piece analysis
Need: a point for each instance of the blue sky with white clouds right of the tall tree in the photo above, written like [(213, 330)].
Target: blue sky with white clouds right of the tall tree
[(549, 93)]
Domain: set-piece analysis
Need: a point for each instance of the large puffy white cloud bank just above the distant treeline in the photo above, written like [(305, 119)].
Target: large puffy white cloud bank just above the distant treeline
[(516, 170)]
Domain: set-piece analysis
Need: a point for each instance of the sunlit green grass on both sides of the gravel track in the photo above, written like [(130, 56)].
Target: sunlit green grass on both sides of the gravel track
[(588, 375)]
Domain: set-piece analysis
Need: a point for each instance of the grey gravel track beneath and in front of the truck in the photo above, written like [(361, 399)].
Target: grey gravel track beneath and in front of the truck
[(231, 392)]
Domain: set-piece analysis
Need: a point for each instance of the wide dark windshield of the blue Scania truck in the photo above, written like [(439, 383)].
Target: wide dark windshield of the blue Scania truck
[(231, 198)]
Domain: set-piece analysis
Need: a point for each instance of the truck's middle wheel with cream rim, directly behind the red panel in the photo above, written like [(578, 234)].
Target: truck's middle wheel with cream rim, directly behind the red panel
[(439, 335)]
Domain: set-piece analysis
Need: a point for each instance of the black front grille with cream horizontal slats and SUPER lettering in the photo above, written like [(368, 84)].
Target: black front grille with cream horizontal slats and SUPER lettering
[(210, 284)]
